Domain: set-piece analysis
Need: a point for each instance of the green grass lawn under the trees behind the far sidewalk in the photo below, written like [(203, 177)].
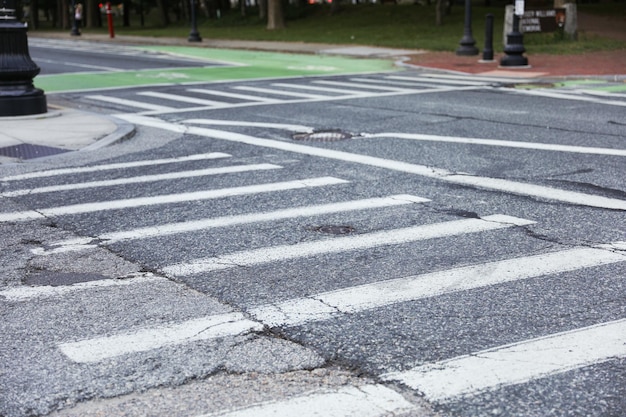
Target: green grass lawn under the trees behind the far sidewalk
[(389, 25)]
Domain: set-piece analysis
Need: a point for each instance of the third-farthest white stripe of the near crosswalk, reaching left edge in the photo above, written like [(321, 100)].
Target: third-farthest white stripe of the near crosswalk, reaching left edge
[(168, 199)]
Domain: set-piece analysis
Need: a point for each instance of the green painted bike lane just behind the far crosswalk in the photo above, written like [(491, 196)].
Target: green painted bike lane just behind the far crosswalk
[(222, 65)]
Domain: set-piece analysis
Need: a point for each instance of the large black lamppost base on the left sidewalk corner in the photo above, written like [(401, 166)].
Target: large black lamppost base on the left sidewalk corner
[(18, 96)]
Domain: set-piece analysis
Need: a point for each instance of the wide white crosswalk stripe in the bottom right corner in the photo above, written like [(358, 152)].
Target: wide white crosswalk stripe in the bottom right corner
[(516, 363)]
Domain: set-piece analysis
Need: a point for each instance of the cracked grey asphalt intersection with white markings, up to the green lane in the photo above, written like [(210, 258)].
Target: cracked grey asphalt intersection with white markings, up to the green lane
[(403, 243)]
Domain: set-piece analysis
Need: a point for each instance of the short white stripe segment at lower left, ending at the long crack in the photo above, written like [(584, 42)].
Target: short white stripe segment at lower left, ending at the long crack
[(142, 340)]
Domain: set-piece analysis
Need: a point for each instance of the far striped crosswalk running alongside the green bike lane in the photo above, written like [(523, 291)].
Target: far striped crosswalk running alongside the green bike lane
[(218, 96)]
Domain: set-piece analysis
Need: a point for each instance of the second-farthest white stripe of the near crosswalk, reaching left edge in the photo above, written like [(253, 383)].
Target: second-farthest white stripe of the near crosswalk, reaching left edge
[(142, 179)]
